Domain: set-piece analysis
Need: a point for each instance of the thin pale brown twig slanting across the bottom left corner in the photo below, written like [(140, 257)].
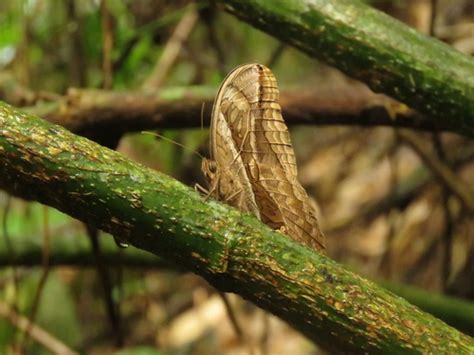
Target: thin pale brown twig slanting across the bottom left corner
[(37, 333)]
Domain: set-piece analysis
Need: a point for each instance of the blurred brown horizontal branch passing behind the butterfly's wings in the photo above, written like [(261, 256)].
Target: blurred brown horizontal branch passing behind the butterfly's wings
[(89, 112)]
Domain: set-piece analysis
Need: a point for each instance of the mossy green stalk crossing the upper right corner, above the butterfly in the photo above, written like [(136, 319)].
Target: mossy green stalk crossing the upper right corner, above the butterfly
[(366, 44)]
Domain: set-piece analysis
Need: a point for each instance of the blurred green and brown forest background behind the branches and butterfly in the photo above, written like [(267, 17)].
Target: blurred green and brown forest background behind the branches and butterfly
[(384, 213)]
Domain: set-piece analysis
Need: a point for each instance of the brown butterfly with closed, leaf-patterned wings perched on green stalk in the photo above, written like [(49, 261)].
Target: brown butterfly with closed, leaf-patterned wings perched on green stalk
[(252, 165)]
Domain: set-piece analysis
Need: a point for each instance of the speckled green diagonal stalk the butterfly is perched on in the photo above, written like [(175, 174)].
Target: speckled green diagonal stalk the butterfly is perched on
[(235, 252)]
